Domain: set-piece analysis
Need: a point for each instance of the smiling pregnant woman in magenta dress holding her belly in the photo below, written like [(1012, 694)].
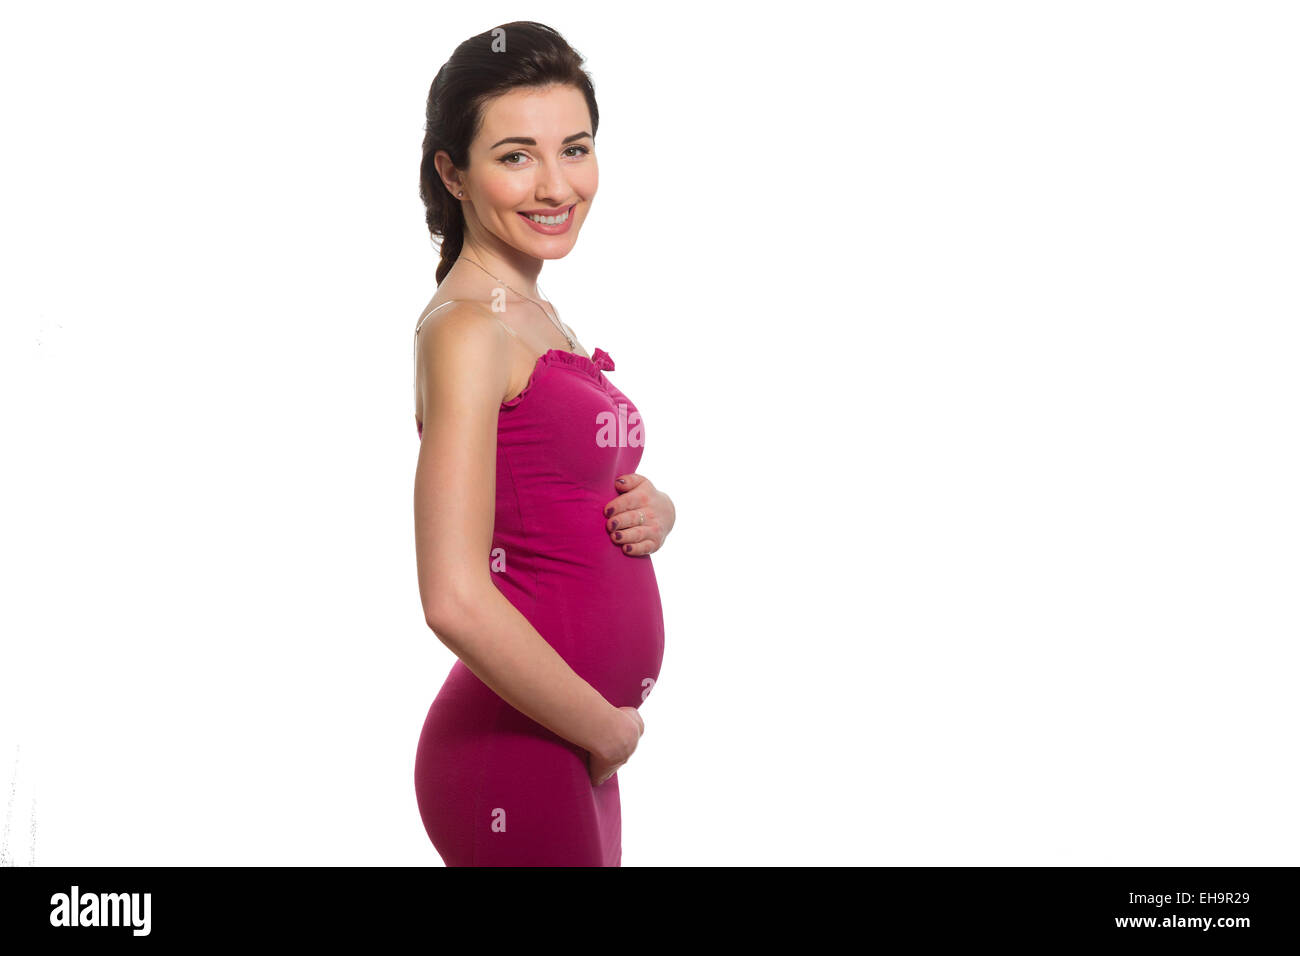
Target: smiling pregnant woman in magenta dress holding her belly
[(534, 531)]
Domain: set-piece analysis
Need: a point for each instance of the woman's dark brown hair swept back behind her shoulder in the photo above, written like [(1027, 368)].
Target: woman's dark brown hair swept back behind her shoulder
[(506, 58)]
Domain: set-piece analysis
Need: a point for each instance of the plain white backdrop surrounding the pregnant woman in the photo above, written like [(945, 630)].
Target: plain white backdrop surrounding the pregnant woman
[(965, 338)]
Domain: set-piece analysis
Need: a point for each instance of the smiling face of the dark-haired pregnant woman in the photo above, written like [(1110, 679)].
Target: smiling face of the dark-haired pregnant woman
[(535, 154)]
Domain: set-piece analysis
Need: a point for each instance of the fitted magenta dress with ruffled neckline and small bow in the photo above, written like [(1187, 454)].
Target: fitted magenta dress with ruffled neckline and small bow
[(495, 788)]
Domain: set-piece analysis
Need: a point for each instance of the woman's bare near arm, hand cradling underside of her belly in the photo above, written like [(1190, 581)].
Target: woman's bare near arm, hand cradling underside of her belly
[(462, 380)]
